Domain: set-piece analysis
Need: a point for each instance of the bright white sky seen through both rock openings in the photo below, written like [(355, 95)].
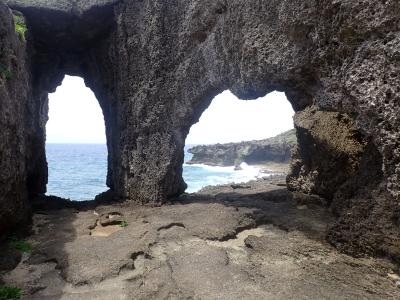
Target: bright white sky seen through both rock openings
[(75, 117)]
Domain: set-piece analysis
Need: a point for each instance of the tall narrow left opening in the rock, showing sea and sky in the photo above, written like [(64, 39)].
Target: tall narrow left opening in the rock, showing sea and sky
[(76, 148)]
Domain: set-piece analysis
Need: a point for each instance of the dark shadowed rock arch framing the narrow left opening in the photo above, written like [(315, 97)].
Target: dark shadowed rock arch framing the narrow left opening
[(58, 46)]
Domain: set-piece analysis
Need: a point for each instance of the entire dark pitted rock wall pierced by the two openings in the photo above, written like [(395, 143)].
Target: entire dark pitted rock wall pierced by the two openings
[(155, 66)]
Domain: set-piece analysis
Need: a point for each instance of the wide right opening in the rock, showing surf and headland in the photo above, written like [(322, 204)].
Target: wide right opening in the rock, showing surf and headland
[(237, 141)]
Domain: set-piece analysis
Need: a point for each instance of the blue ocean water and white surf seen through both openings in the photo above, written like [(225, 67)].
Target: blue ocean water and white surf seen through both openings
[(78, 171)]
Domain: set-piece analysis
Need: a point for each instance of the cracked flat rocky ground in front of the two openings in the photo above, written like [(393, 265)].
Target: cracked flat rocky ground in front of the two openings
[(247, 241)]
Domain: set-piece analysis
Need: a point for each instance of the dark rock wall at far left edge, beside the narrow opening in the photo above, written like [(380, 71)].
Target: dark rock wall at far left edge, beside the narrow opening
[(14, 121)]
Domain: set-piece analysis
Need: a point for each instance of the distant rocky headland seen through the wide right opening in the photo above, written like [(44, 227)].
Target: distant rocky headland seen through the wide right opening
[(276, 149)]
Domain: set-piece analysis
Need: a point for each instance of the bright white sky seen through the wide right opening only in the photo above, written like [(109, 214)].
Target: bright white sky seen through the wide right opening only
[(229, 119)]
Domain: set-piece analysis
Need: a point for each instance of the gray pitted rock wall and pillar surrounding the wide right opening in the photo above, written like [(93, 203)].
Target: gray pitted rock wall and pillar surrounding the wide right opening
[(317, 52)]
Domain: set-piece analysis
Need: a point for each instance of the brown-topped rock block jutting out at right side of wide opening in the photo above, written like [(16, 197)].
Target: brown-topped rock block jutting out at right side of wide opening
[(329, 153)]
